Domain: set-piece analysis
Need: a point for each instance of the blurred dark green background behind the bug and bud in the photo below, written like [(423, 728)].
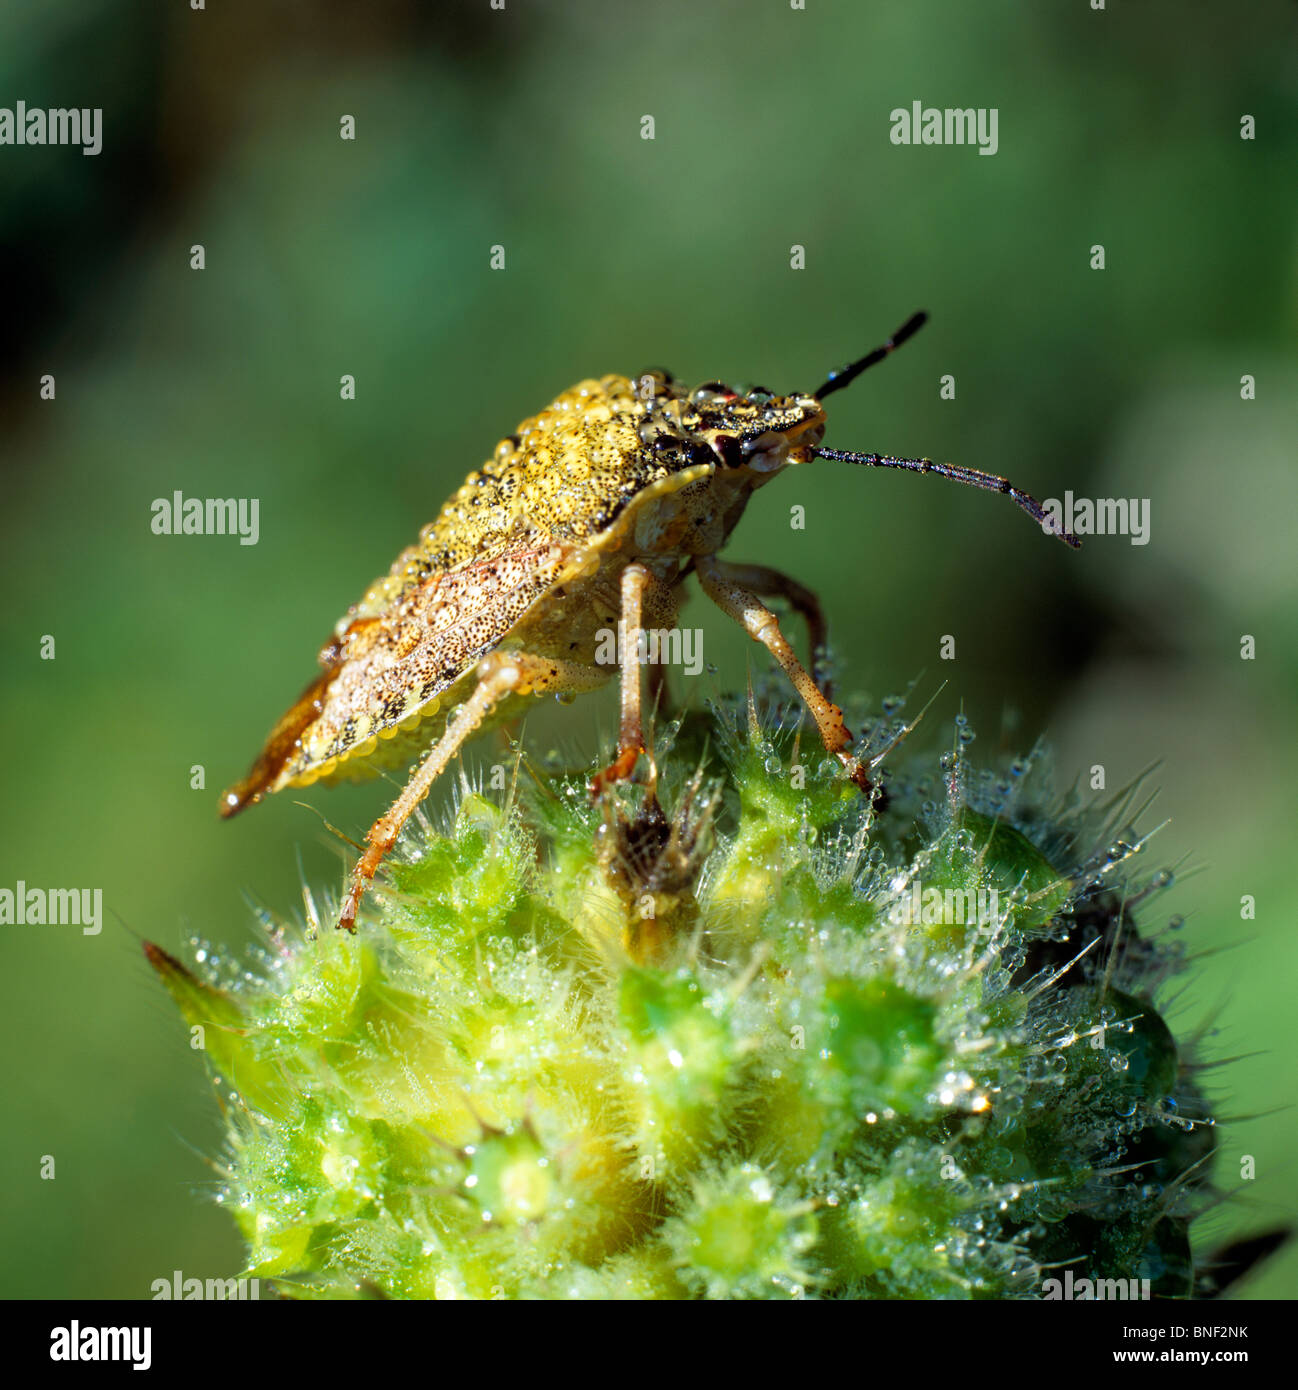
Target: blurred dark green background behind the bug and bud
[(523, 129)]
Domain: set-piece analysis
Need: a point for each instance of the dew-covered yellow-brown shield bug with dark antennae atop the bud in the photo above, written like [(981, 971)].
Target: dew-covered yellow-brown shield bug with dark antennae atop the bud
[(593, 514)]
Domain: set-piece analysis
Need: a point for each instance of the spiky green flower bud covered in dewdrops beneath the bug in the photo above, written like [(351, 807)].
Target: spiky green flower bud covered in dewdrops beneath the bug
[(740, 1036)]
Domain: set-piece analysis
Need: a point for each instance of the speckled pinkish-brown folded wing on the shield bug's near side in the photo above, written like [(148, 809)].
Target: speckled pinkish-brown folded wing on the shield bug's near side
[(388, 671)]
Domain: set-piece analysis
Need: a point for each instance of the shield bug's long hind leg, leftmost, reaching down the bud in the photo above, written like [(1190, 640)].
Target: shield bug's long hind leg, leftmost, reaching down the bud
[(500, 675)]
